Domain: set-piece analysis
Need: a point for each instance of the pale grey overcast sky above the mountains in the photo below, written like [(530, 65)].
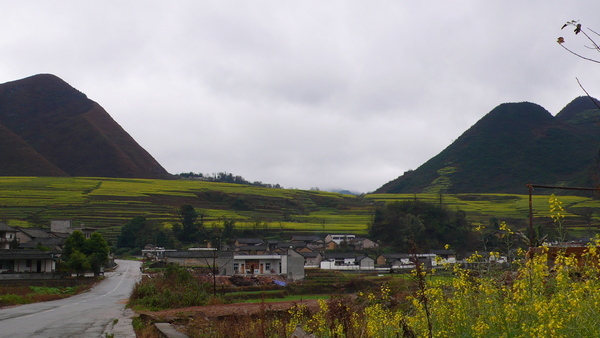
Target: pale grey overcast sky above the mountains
[(329, 94)]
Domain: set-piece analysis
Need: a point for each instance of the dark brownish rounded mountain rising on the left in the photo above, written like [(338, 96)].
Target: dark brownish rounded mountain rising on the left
[(48, 128)]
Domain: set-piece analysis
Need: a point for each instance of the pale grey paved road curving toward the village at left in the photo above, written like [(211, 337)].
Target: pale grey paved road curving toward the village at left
[(90, 314)]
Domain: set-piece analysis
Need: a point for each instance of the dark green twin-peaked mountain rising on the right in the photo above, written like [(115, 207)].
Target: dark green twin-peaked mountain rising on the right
[(513, 145)]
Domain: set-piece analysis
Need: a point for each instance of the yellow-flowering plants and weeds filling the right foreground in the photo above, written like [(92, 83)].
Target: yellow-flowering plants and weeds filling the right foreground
[(560, 298)]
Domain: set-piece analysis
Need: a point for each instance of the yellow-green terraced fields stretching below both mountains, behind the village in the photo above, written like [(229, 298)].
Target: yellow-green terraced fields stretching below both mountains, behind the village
[(108, 203)]
